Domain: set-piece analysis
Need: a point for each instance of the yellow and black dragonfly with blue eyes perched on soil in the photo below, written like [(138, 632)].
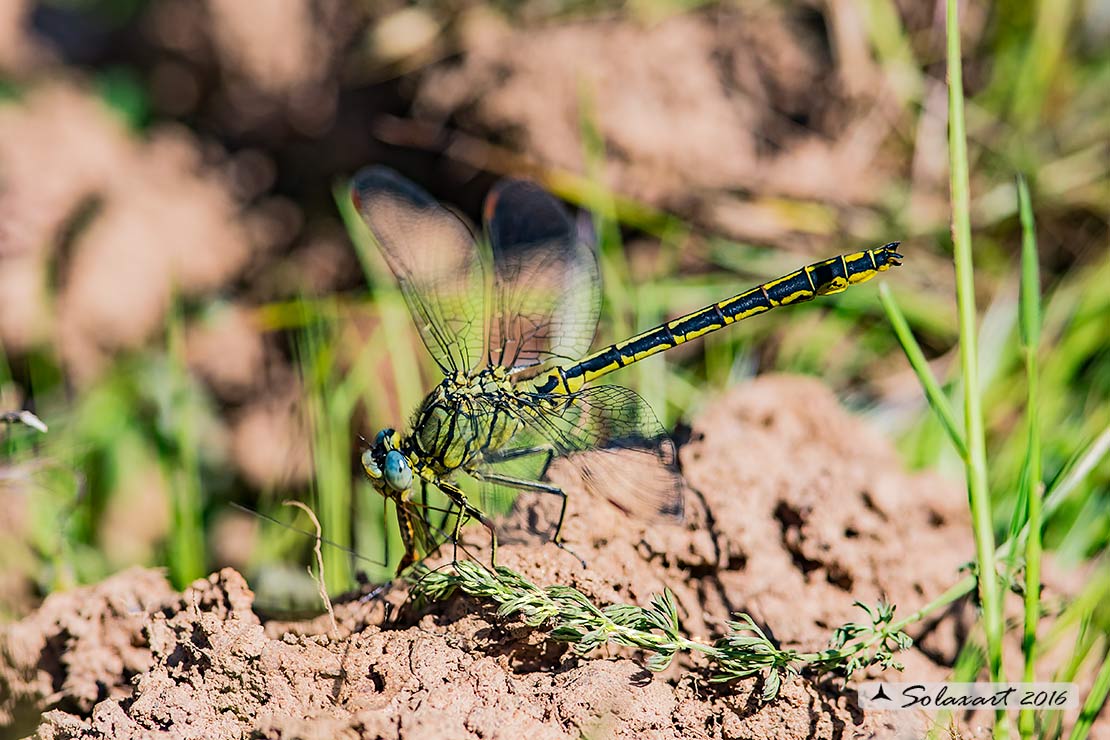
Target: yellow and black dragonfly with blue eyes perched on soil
[(510, 317)]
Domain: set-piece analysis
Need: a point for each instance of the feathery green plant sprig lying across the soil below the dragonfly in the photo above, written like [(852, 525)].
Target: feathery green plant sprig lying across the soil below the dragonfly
[(745, 652)]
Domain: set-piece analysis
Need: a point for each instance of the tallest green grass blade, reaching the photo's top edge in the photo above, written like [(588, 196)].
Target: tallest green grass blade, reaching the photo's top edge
[(978, 492)]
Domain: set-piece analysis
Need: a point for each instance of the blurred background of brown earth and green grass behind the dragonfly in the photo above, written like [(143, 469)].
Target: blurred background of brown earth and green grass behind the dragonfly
[(188, 303)]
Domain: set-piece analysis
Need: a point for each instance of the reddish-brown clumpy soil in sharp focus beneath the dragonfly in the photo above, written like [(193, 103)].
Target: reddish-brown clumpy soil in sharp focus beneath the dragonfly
[(795, 510)]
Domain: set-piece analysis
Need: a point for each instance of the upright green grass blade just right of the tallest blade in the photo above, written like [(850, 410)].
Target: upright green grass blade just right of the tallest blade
[(1033, 491)]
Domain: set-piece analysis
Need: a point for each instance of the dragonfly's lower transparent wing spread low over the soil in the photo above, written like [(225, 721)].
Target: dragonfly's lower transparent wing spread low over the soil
[(615, 441)]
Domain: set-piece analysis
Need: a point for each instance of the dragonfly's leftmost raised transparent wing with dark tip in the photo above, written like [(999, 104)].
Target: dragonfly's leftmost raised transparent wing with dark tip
[(438, 266)]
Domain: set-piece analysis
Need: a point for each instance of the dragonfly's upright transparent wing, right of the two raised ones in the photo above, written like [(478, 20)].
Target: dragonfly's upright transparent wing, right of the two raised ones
[(547, 282)]
